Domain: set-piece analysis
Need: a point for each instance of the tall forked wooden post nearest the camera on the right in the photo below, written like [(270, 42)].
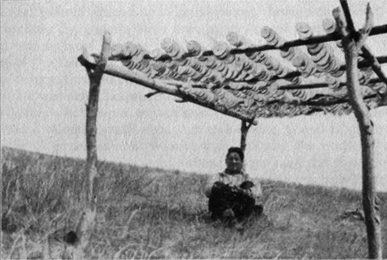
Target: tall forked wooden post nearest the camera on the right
[(352, 43)]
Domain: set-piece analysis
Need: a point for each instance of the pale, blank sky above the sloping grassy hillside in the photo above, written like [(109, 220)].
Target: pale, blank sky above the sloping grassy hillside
[(44, 90)]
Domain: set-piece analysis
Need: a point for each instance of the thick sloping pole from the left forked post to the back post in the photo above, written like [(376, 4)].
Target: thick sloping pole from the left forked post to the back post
[(117, 69)]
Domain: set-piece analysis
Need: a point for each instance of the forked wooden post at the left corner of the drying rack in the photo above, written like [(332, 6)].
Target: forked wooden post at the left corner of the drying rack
[(86, 222)]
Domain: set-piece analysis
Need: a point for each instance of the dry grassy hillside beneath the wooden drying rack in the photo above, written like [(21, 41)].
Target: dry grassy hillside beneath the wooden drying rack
[(153, 213)]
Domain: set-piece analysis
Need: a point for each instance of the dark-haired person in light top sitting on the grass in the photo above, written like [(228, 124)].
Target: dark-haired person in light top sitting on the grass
[(232, 194)]
